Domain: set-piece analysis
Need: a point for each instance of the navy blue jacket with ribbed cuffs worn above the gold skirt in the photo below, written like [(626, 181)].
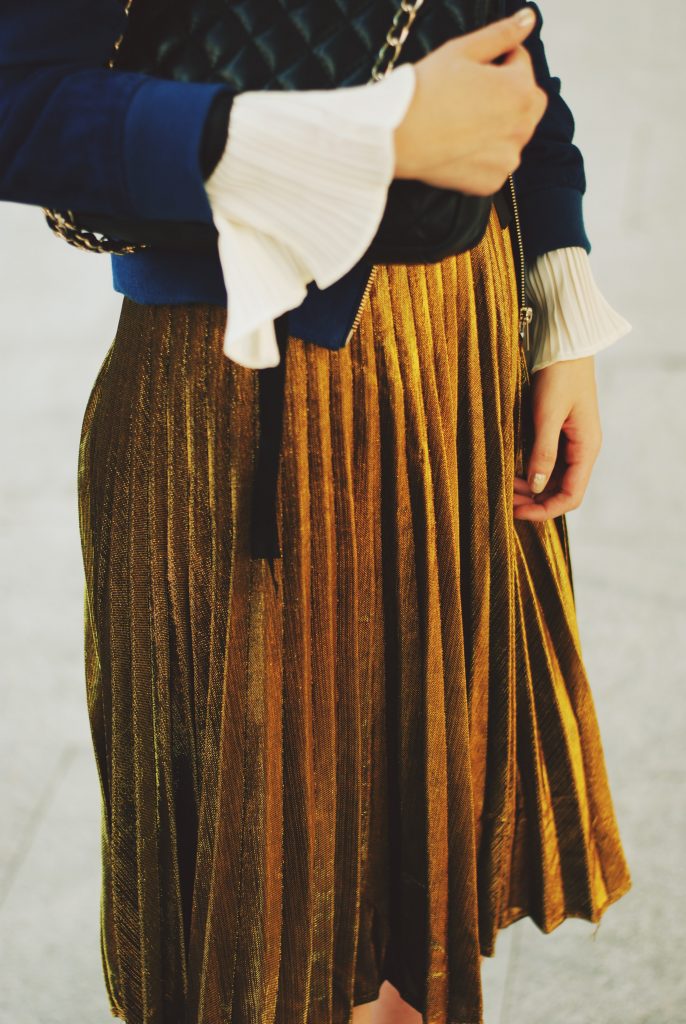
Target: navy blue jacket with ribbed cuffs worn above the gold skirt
[(76, 136)]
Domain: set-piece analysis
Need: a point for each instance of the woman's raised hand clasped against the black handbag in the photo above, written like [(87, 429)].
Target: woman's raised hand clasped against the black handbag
[(469, 119)]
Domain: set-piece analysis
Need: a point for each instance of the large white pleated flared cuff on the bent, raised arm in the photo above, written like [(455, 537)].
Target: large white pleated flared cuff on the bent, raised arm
[(297, 196)]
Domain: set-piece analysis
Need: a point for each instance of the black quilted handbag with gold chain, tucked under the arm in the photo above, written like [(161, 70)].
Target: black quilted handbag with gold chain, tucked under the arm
[(296, 45)]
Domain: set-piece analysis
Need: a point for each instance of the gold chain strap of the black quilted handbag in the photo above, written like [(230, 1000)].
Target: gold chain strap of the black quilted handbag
[(65, 224)]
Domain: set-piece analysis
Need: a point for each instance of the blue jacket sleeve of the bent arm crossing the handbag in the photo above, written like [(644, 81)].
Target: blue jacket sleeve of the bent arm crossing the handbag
[(77, 136)]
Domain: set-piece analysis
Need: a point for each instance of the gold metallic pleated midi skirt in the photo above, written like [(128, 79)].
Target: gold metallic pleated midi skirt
[(363, 767)]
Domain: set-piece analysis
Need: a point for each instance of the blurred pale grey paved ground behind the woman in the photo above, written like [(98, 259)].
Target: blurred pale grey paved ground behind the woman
[(624, 76)]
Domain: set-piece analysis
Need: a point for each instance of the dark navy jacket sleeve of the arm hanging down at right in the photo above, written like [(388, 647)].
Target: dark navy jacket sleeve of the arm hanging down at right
[(551, 179)]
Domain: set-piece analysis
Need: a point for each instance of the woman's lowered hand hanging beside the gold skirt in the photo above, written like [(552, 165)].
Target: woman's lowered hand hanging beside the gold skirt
[(567, 443)]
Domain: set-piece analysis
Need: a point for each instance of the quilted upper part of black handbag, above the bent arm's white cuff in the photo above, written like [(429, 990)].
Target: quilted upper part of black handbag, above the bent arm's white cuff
[(284, 45)]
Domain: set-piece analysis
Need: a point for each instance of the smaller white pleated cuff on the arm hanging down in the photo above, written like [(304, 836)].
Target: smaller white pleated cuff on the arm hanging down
[(572, 318)]
